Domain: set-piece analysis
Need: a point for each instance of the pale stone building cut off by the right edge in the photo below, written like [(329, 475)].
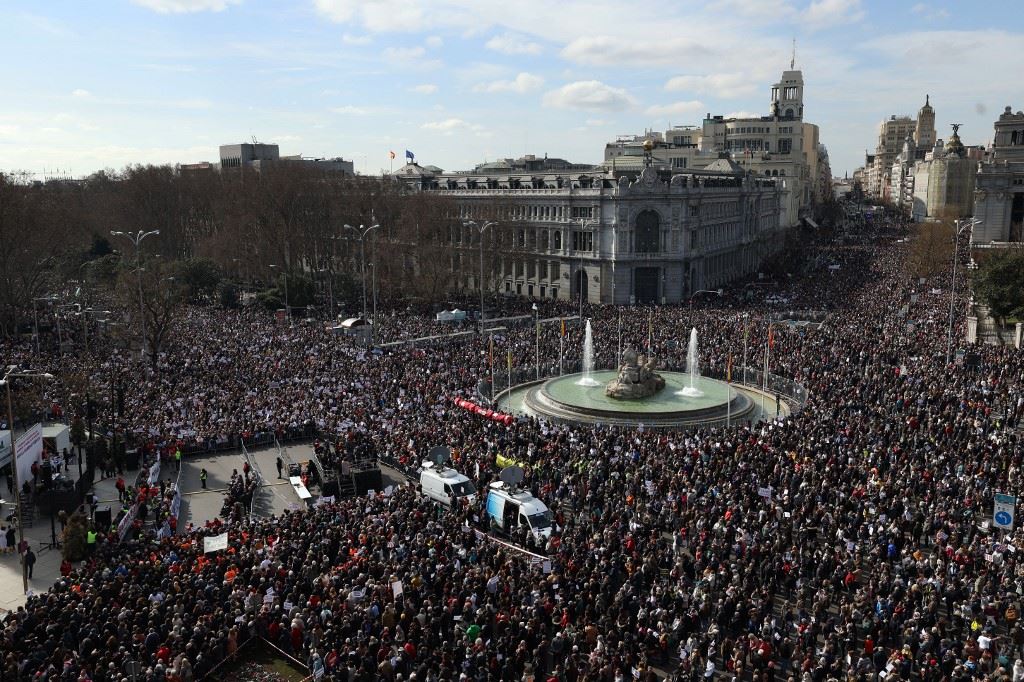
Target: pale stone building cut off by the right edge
[(1000, 185)]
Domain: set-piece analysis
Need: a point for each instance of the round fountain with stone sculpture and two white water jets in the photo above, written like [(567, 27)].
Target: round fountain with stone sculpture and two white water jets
[(638, 393)]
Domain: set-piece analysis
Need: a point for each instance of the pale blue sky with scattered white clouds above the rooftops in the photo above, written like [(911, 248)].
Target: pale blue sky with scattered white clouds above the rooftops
[(105, 84)]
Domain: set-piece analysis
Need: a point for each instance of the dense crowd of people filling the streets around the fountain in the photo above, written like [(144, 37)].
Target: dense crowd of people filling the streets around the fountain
[(852, 540)]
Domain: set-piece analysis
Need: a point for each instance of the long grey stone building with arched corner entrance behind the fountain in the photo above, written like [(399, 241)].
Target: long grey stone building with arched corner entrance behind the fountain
[(569, 232)]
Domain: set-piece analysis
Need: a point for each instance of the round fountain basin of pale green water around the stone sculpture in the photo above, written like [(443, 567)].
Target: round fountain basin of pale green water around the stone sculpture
[(563, 399)]
